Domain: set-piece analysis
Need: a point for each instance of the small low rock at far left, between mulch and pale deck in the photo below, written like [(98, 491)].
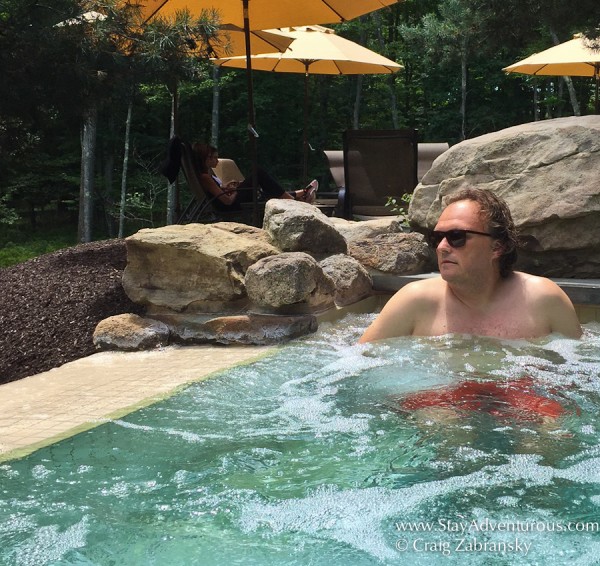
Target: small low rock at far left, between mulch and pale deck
[(130, 332)]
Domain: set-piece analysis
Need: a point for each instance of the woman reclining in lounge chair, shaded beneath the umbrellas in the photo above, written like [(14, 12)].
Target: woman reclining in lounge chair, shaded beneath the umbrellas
[(230, 194)]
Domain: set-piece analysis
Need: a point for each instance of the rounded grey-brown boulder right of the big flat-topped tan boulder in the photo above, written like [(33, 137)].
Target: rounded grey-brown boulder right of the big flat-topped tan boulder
[(289, 282)]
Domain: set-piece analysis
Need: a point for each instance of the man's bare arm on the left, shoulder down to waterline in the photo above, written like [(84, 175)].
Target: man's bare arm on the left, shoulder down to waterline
[(399, 316)]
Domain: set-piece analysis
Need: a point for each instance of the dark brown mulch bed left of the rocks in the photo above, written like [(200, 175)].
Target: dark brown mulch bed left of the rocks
[(50, 306)]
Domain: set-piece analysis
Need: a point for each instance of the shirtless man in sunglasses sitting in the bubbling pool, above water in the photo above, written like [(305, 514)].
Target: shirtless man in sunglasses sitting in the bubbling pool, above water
[(477, 292)]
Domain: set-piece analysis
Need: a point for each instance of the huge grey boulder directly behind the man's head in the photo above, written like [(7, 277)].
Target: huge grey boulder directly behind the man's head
[(547, 172)]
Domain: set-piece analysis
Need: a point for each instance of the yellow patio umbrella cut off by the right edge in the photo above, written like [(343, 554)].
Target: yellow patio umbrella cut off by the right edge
[(572, 58)]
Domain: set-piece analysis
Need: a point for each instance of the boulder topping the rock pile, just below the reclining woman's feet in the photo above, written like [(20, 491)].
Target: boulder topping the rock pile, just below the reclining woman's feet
[(296, 226)]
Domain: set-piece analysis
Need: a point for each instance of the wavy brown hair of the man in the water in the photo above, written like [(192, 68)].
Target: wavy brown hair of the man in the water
[(496, 213)]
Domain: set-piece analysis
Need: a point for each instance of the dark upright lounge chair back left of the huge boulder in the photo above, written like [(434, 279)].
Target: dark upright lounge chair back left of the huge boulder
[(378, 164)]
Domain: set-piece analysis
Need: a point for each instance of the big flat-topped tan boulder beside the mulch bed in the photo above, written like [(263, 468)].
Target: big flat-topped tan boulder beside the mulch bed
[(193, 268)]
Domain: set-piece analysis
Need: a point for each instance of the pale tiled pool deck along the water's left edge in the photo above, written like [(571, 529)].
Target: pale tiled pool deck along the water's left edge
[(45, 408)]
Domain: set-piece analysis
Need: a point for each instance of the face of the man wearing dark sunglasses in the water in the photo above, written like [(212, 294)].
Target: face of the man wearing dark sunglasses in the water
[(475, 258)]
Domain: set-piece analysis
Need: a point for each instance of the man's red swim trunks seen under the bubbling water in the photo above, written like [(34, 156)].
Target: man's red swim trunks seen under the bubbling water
[(499, 398)]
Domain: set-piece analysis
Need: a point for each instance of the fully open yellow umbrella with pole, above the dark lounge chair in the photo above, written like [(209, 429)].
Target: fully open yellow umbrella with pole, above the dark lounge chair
[(316, 50)]
